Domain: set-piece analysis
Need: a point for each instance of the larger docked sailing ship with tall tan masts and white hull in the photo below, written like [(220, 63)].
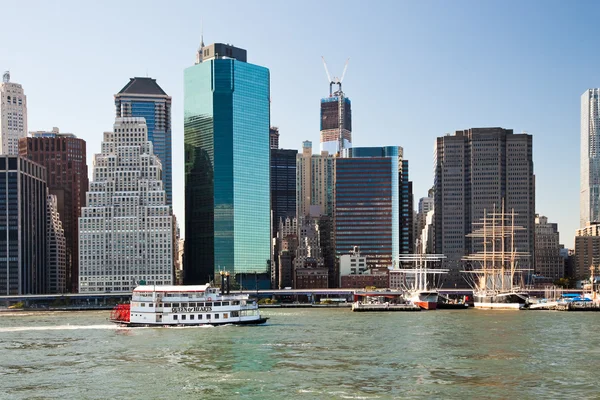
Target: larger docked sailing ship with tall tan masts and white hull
[(494, 272)]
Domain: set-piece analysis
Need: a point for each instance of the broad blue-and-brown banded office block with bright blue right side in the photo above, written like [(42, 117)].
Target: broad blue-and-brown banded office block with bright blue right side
[(373, 204)]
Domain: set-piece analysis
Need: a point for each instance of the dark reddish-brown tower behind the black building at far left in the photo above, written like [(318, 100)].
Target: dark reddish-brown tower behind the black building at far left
[(64, 156)]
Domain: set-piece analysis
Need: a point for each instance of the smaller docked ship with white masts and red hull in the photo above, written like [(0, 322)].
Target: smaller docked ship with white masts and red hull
[(421, 283)]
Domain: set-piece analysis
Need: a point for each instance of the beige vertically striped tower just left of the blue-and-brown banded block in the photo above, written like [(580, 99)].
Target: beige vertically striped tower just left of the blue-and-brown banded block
[(314, 180)]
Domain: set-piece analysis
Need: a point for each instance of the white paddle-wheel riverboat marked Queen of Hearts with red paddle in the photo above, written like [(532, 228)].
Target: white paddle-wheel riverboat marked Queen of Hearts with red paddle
[(187, 305)]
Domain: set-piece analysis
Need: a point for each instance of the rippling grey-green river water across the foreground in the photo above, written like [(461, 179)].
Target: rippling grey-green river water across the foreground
[(305, 354)]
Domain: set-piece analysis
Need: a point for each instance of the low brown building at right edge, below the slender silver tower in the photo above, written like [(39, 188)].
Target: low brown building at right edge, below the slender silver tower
[(587, 250)]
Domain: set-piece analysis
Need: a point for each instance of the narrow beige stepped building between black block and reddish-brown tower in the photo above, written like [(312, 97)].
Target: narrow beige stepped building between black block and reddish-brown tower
[(56, 255)]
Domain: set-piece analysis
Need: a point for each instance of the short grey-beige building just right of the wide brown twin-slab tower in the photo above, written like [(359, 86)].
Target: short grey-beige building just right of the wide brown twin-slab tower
[(548, 261)]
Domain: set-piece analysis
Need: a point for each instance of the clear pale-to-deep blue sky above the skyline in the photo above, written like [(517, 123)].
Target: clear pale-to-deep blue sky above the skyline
[(417, 70)]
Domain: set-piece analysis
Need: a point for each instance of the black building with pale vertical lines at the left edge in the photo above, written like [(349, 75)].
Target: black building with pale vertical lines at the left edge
[(22, 226)]
